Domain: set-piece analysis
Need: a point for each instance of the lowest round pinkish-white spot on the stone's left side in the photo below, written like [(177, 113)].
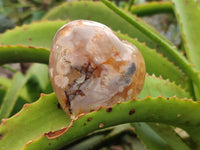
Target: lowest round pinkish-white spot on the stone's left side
[(61, 81)]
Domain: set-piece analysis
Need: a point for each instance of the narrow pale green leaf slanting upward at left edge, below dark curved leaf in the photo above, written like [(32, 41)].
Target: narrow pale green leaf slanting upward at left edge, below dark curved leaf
[(12, 95)]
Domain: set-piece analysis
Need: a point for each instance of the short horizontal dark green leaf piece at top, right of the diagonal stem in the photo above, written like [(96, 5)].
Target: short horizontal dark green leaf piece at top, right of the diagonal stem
[(151, 8)]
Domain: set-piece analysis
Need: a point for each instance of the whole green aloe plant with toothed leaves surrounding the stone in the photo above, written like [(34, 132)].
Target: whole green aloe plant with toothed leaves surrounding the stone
[(166, 108)]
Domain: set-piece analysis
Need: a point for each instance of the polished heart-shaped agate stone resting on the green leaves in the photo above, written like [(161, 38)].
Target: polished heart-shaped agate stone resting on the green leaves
[(90, 67)]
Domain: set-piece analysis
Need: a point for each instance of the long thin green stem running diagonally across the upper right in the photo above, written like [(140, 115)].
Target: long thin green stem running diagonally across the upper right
[(177, 57)]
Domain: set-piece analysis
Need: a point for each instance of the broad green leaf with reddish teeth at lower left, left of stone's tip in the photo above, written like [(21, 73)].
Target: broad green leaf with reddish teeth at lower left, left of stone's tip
[(33, 120)]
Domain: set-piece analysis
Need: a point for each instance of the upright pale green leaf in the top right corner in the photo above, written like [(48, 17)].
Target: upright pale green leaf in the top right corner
[(187, 14)]
